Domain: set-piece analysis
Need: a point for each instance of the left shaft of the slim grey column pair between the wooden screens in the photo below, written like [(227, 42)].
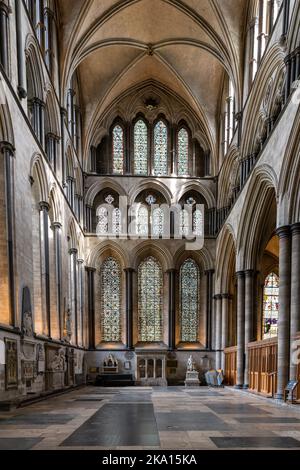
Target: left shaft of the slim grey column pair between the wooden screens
[(240, 328)]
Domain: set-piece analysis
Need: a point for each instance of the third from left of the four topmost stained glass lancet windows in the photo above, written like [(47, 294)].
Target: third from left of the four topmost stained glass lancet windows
[(160, 149)]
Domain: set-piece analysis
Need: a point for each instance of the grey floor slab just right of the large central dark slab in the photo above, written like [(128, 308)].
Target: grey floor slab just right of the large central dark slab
[(190, 421)]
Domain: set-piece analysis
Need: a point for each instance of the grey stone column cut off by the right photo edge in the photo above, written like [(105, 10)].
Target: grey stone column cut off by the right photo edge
[(295, 293)]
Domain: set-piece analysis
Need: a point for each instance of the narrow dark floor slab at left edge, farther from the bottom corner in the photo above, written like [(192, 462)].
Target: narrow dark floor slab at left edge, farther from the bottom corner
[(38, 419)]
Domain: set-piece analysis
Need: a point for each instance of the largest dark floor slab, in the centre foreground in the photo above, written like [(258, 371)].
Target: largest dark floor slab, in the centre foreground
[(118, 425)]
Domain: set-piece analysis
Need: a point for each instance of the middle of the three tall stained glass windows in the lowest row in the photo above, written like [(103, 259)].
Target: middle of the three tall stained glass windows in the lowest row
[(150, 290)]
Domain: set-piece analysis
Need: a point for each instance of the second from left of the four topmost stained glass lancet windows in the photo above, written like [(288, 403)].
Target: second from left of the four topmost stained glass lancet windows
[(140, 148)]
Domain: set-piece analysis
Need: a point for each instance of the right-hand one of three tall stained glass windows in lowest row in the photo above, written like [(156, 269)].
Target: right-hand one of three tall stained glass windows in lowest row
[(189, 301)]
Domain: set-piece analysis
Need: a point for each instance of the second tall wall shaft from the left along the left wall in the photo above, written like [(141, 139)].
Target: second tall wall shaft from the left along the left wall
[(44, 210)]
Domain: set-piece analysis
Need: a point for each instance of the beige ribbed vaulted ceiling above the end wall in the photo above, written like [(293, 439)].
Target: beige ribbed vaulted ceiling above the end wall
[(187, 46)]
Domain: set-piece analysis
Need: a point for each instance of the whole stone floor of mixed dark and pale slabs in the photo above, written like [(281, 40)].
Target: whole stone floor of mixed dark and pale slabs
[(152, 418)]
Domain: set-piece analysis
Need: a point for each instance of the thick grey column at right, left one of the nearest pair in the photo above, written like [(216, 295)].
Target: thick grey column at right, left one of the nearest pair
[(284, 235)]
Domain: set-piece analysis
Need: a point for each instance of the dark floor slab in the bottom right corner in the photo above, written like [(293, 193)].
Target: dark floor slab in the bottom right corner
[(255, 442)]
